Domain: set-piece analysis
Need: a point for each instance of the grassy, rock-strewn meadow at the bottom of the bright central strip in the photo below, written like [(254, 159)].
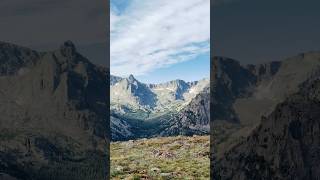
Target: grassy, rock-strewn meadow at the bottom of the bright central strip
[(161, 158)]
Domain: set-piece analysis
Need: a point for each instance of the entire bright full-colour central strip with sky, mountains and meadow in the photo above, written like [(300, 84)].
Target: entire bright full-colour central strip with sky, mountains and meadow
[(160, 89)]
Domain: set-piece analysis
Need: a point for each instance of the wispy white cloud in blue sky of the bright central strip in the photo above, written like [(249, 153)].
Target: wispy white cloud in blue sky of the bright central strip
[(151, 34)]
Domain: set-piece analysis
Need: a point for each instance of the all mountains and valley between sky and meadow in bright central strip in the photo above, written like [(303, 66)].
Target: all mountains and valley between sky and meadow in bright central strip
[(140, 110)]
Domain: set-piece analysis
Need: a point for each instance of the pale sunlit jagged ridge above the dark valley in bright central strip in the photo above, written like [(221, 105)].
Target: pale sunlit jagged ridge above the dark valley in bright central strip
[(153, 97)]
